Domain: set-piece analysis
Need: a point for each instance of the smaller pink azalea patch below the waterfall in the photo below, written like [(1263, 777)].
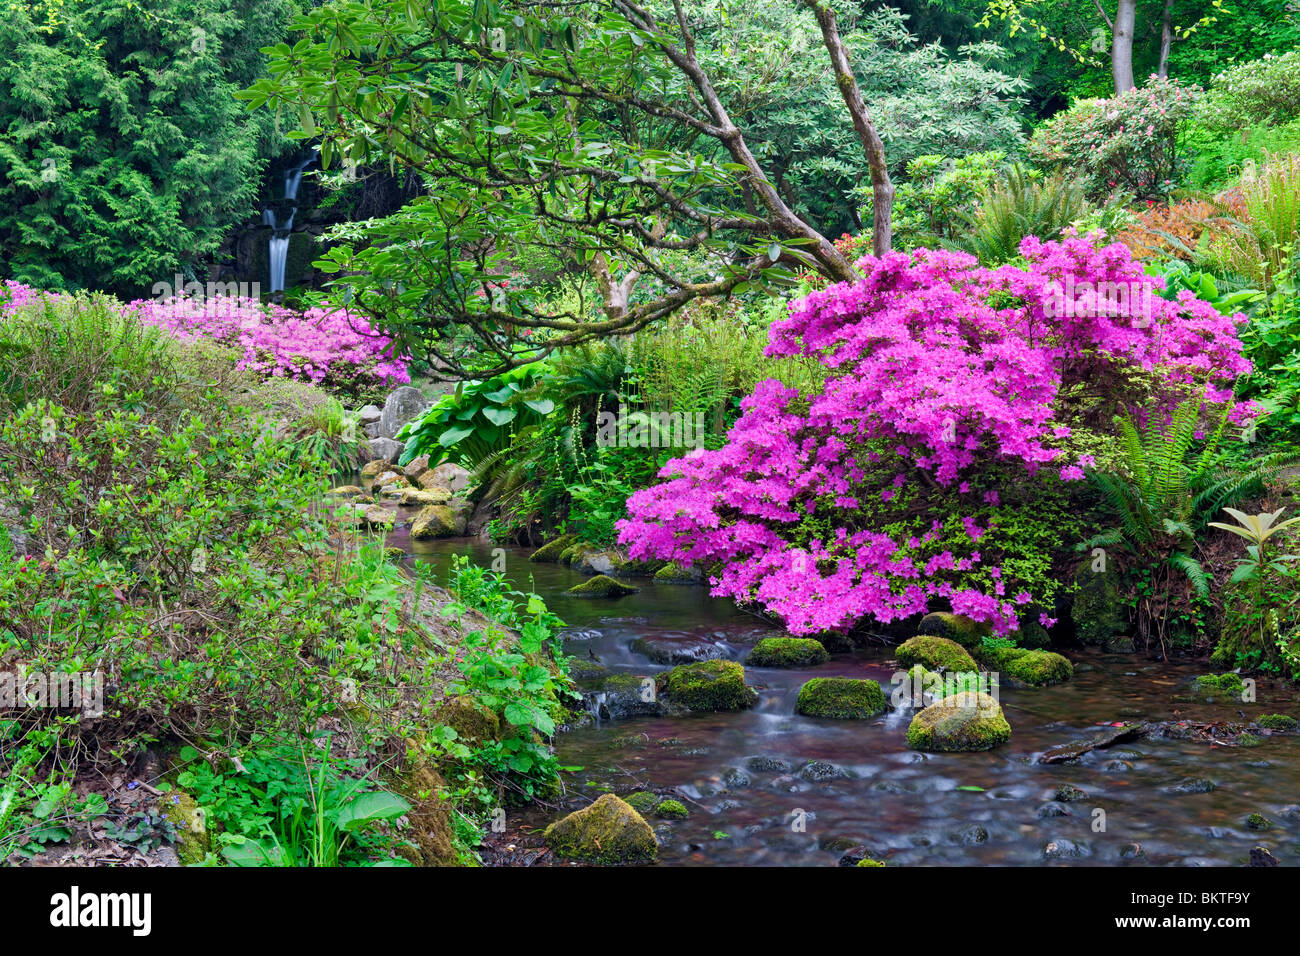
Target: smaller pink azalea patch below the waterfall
[(327, 347)]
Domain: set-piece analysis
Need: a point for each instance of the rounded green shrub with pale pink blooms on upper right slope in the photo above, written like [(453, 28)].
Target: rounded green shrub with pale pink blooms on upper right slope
[(1129, 142)]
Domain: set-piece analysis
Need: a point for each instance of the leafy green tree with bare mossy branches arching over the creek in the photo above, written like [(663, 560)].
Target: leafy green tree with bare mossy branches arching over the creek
[(593, 132)]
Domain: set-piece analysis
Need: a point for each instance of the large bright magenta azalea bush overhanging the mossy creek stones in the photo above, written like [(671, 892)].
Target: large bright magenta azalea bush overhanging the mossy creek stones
[(948, 418)]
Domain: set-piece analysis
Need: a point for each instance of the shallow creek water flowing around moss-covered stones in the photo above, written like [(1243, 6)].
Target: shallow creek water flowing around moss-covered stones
[(868, 788)]
